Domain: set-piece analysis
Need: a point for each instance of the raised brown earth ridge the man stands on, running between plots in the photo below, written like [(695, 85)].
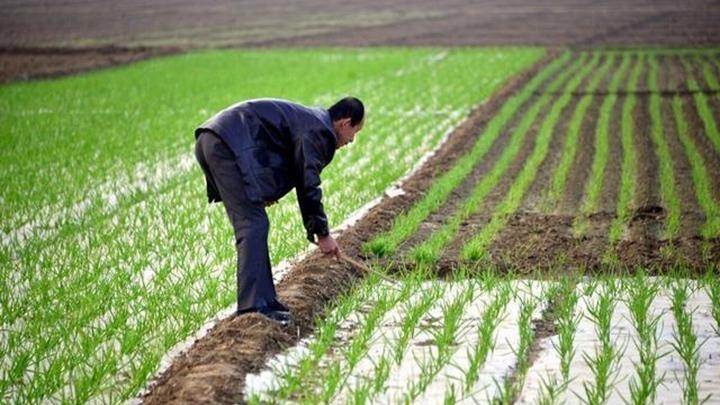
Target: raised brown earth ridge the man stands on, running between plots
[(213, 370)]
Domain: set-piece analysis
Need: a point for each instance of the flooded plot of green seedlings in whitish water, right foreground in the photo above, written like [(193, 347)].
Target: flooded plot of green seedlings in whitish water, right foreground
[(468, 340)]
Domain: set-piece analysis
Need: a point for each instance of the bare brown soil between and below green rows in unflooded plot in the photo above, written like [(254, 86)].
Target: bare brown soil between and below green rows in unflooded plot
[(534, 240)]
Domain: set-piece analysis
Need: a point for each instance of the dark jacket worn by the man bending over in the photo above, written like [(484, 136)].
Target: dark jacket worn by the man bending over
[(279, 145)]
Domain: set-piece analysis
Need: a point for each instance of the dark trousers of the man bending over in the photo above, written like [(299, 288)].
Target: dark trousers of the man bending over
[(255, 288)]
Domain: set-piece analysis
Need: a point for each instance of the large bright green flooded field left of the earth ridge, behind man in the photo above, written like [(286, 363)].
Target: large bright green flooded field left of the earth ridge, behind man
[(110, 252)]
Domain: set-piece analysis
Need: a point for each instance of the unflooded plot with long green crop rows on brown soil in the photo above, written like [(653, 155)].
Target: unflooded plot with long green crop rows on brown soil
[(539, 188)]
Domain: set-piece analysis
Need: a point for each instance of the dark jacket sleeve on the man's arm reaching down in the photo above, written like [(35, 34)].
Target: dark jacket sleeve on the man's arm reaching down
[(309, 162)]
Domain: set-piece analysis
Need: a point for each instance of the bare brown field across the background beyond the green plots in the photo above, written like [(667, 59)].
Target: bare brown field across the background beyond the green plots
[(45, 30)]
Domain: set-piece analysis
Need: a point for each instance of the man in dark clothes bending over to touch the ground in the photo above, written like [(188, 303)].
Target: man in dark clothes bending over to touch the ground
[(255, 152)]
